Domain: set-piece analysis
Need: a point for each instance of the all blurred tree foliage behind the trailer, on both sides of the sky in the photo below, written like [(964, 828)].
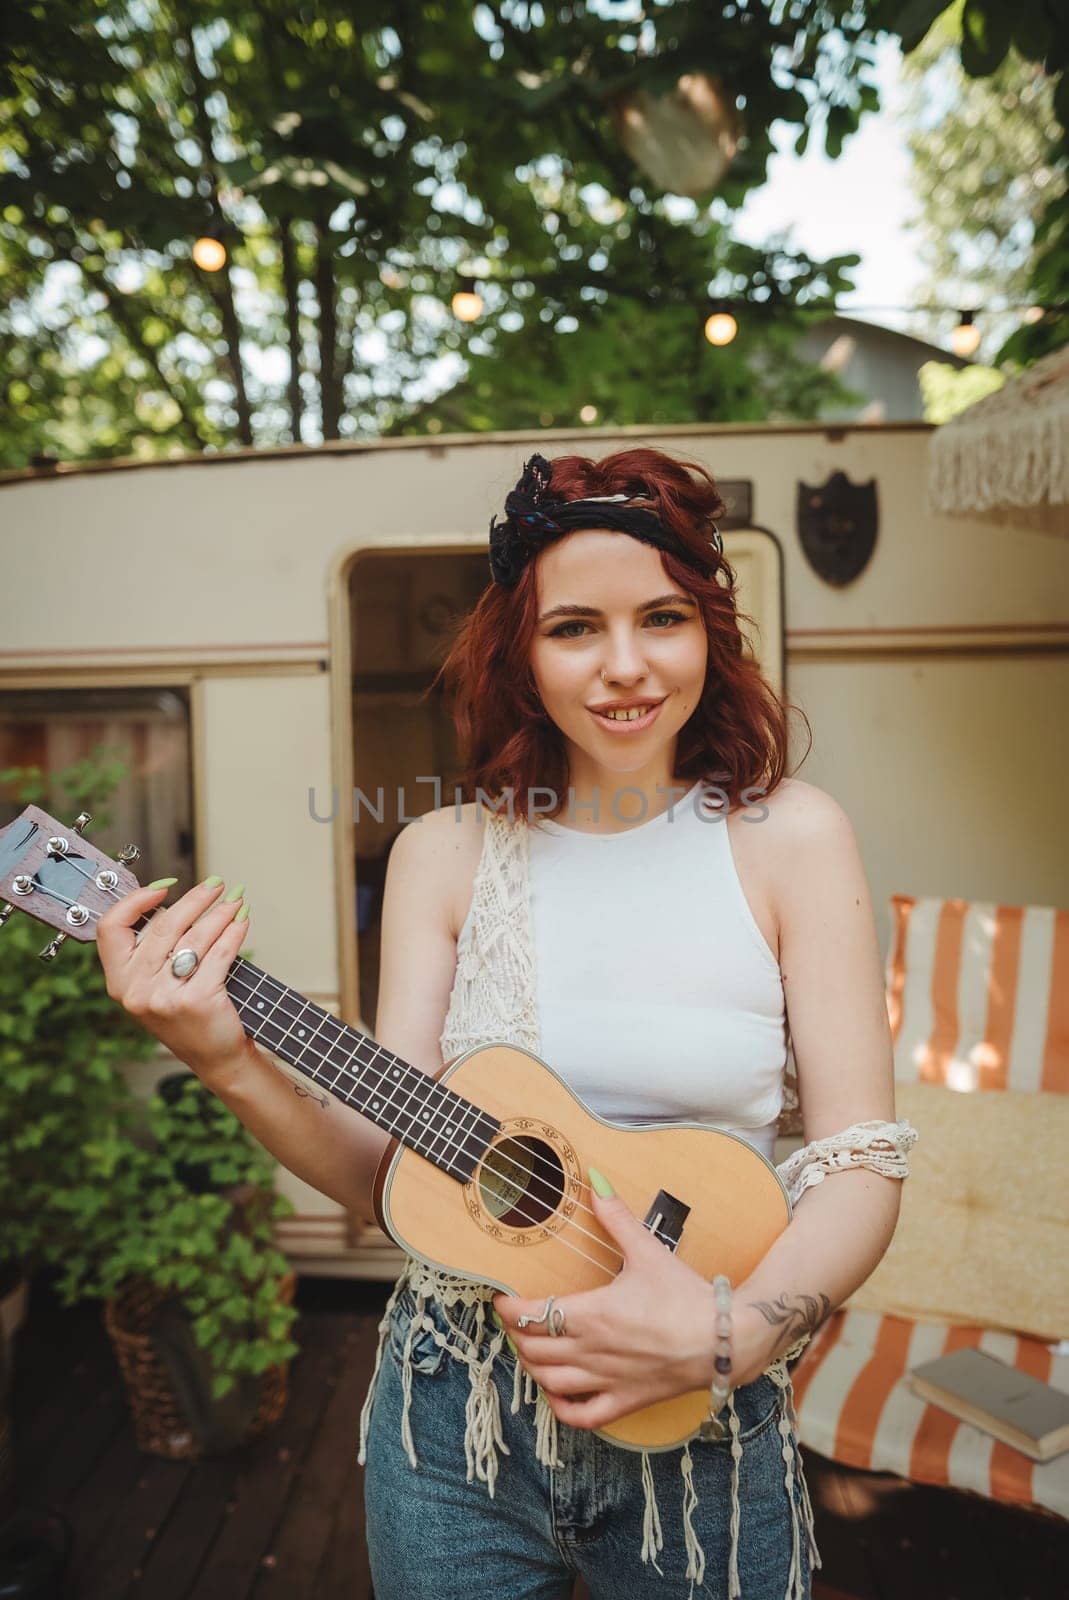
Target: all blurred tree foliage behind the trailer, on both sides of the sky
[(358, 161)]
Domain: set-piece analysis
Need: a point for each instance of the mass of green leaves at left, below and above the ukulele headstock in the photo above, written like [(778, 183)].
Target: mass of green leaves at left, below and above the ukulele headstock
[(97, 1190)]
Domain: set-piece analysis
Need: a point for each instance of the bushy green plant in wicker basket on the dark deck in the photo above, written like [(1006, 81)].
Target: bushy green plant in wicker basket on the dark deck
[(177, 1236)]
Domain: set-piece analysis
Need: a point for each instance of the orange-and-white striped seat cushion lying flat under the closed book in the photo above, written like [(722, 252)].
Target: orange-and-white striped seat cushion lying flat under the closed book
[(855, 1407)]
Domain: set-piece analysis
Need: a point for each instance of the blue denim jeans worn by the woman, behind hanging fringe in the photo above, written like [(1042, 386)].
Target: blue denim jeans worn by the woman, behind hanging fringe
[(436, 1537)]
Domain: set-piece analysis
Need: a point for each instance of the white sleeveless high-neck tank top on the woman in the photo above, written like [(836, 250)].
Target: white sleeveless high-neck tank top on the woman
[(659, 996)]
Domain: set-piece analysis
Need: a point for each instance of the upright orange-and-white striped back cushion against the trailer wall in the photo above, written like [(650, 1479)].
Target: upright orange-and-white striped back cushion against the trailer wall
[(979, 994)]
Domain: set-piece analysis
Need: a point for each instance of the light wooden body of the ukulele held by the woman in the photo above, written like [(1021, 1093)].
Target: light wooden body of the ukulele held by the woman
[(524, 1223)]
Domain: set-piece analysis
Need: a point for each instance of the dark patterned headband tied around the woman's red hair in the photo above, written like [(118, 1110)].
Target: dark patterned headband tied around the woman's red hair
[(534, 521)]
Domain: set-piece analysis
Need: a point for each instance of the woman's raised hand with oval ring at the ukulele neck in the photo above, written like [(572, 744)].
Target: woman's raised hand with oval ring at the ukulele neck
[(194, 1017)]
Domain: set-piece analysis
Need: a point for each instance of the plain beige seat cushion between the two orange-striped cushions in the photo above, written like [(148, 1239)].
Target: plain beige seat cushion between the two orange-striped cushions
[(983, 1234)]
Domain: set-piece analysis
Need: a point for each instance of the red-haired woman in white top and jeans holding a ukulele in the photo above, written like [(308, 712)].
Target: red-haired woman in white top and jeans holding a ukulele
[(604, 700)]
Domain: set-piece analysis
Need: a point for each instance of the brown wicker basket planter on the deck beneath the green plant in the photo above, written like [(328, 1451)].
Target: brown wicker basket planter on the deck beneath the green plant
[(164, 1425)]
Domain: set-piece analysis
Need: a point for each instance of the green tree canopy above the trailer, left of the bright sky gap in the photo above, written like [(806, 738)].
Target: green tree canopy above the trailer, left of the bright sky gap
[(354, 167)]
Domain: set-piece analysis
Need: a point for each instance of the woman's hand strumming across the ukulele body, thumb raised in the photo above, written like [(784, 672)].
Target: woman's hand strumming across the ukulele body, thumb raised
[(646, 1337)]
